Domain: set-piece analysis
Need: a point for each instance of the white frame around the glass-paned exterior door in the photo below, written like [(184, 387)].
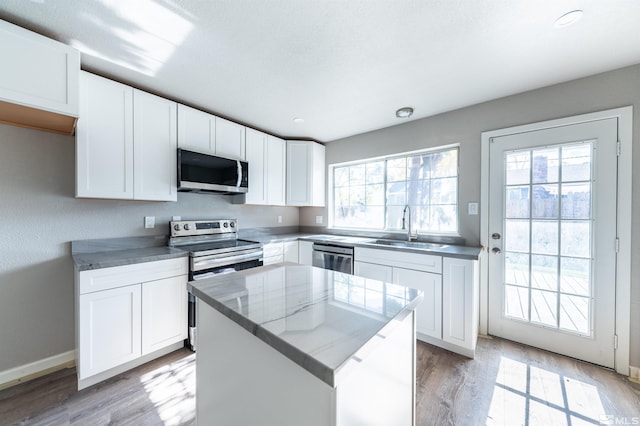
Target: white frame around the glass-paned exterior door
[(624, 116)]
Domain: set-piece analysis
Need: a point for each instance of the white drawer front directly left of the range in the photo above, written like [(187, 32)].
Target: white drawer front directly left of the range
[(119, 276)]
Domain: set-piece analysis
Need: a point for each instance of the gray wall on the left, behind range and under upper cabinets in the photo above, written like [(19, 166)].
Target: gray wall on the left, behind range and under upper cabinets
[(39, 216)]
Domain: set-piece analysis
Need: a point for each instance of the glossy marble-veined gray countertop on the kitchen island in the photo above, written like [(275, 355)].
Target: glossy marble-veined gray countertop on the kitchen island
[(319, 319)]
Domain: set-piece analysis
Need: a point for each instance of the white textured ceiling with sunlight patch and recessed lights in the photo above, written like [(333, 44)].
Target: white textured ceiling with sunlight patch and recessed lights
[(344, 66)]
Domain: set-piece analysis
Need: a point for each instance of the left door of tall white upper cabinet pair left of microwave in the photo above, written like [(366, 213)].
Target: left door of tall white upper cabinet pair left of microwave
[(104, 139)]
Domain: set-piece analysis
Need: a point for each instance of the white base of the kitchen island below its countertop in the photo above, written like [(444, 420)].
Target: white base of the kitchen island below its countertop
[(241, 380)]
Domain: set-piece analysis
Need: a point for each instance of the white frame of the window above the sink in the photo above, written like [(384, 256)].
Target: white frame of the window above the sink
[(385, 158)]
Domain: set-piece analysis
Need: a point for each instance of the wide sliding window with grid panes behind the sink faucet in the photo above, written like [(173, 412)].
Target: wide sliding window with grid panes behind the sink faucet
[(372, 194)]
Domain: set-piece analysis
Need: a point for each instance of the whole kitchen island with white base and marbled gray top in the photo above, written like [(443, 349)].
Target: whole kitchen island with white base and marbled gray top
[(291, 344)]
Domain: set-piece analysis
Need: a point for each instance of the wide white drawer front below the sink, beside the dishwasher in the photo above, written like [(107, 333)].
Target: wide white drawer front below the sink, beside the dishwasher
[(401, 259)]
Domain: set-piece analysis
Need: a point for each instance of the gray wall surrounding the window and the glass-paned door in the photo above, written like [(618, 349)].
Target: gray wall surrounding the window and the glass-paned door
[(604, 91)]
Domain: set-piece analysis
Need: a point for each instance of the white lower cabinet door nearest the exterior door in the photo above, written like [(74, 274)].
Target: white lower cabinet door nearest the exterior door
[(460, 302)]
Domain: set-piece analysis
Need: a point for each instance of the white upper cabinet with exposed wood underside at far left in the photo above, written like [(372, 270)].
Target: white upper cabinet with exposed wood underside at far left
[(38, 81)]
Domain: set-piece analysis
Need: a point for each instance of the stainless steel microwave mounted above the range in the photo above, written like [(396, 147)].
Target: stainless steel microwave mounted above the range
[(199, 172)]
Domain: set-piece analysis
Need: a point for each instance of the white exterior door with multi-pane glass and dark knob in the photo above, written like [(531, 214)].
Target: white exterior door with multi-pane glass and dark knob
[(552, 239)]
